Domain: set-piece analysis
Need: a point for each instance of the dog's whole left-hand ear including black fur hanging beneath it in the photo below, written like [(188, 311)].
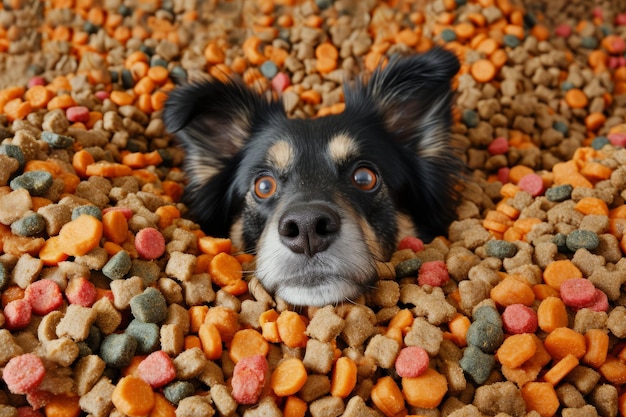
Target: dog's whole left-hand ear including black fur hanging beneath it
[(213, 121)]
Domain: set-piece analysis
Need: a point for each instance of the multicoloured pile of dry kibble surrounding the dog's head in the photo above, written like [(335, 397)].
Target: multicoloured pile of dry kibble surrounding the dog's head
[(113, 302)]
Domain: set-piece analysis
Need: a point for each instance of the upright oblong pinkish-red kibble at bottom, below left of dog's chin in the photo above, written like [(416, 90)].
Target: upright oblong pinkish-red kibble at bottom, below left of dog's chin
[(249, 378)]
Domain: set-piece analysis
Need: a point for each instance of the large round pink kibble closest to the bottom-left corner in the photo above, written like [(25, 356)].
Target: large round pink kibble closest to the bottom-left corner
[(23, 373)]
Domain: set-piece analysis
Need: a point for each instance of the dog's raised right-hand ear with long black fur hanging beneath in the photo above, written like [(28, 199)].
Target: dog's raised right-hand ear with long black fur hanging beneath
[(412, 97)]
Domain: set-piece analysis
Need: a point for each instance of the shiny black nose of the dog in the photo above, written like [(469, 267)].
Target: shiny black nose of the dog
[(309, 228)]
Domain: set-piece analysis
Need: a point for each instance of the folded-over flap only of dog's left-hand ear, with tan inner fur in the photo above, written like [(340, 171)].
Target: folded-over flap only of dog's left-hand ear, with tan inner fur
[(212, 120)]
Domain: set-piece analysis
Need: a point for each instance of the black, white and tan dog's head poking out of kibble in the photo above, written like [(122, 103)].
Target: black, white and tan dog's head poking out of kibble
[(320, 200)]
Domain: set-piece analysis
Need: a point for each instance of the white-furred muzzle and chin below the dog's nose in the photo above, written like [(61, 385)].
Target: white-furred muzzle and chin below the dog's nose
[(341, 273)]
